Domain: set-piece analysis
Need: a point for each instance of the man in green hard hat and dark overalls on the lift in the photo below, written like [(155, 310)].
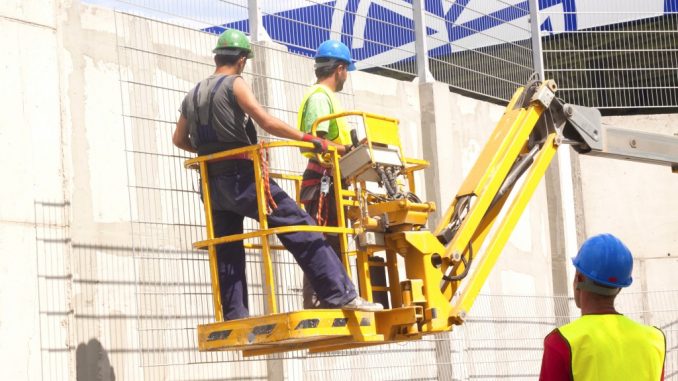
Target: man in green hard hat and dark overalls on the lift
[(217, 115)]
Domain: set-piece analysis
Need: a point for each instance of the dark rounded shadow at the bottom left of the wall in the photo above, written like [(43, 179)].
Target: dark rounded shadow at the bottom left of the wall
[(92, 363)]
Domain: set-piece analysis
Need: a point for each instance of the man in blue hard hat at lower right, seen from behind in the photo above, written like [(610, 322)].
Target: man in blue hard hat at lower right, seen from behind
[(603, 344)]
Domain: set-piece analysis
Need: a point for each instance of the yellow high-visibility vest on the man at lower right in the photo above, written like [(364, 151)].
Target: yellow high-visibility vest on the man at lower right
[(614, 347)]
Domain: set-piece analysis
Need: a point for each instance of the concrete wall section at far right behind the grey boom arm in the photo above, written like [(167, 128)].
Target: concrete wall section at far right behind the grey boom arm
[(638, 203)]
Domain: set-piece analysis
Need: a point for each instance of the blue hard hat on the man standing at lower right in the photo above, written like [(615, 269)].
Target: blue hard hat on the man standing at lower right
[(605, 260)]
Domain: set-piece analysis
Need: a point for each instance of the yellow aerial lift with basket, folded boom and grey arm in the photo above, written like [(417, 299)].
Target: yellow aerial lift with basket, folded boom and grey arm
[(435, 289)]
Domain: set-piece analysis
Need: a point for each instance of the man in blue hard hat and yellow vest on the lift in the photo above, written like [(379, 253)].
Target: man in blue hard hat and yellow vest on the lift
[(332, 63)]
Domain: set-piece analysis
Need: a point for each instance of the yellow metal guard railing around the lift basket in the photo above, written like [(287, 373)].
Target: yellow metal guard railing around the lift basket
[(380, 130)]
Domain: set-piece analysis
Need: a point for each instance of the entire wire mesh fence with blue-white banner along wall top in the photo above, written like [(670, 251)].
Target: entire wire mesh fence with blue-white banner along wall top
[(617, 60)]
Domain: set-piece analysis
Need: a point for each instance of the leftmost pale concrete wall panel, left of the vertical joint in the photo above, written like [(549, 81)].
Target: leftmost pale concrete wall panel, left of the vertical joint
[(30, 136)]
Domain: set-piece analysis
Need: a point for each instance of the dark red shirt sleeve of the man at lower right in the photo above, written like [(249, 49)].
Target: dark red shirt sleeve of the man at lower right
[(556, 363)]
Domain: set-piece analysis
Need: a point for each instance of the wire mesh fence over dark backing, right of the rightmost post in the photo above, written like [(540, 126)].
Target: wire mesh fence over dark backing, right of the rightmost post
[(631, 64)]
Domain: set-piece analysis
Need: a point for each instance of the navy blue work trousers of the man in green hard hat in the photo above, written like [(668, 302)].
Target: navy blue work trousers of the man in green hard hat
[(233, 196)]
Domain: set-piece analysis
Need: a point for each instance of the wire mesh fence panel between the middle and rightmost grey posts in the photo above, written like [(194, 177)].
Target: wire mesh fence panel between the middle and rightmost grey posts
[(487, 49)]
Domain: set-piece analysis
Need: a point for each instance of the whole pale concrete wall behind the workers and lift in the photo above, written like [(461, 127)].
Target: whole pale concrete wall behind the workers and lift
[(97, 279)]
